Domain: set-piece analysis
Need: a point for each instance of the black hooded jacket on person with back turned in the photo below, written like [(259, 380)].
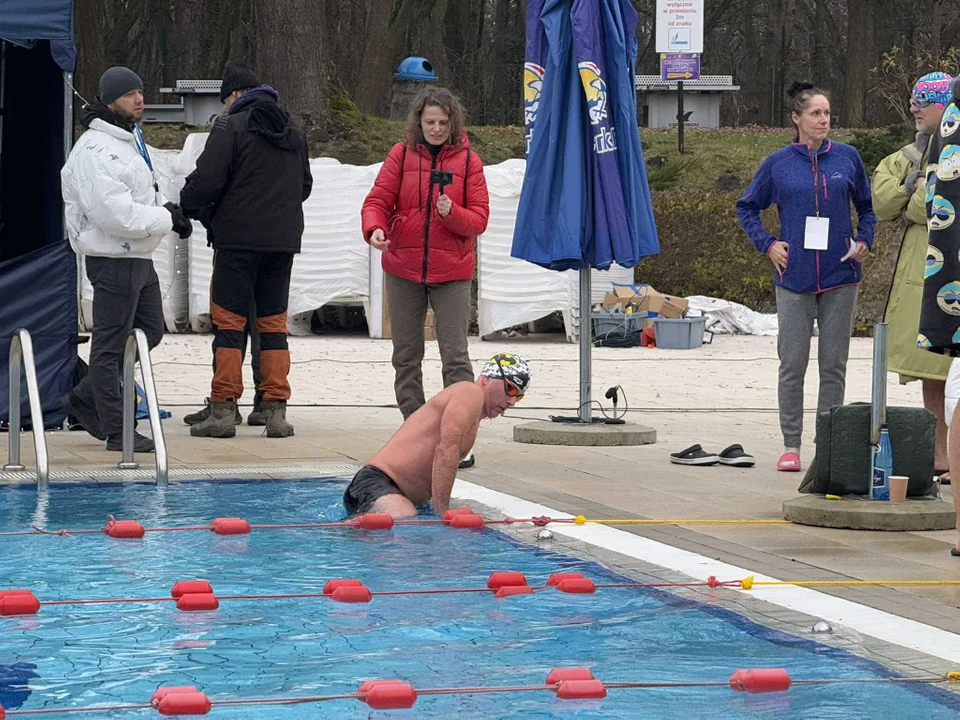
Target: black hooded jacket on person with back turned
[(252, 178)]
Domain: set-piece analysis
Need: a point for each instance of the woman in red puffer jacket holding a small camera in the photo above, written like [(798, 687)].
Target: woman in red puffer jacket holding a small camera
[(425, 211)]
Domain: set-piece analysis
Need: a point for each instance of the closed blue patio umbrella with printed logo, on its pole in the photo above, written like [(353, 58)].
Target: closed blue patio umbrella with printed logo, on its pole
[(585, 201)]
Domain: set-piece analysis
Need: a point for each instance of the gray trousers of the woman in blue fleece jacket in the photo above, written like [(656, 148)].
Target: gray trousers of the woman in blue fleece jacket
[(834, 313)]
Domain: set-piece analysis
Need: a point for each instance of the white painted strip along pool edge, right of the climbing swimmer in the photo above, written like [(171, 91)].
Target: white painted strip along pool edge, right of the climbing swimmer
[(866, 620)]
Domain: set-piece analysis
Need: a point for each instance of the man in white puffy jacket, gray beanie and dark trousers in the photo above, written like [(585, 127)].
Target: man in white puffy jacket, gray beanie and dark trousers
[(116, 218)]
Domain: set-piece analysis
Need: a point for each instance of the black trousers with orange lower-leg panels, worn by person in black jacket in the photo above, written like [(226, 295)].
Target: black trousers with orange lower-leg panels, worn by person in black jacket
[(242, 278)]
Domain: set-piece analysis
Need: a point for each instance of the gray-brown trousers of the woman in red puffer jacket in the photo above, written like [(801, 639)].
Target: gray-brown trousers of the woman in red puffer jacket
[(408, 311)]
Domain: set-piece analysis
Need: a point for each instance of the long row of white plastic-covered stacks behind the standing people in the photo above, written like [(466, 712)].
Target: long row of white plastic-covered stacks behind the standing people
[(334, 264)]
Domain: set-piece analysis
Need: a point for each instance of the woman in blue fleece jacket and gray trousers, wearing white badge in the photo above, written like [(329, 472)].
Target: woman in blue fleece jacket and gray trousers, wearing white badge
[(817, 256)]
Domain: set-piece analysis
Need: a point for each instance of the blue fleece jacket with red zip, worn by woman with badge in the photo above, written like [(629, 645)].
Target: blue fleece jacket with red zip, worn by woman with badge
[(799, 182)]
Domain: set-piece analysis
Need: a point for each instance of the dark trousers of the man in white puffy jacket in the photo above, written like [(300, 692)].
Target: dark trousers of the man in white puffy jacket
[(126, 295)]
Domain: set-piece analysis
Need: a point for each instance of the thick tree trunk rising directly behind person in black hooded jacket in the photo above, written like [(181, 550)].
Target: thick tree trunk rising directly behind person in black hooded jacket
[(290, 55)]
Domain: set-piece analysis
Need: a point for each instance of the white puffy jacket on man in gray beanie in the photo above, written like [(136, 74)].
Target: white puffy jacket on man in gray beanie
[(111, 204)]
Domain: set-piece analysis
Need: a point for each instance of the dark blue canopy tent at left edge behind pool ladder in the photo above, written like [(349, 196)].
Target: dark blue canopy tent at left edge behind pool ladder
[(38, 272)]
